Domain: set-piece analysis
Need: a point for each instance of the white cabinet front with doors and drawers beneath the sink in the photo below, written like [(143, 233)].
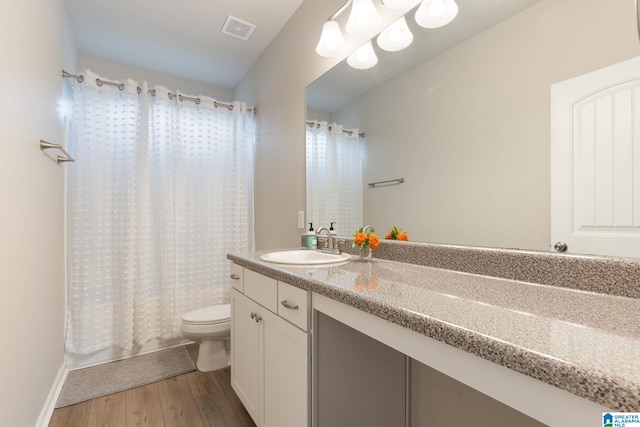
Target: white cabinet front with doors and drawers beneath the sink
[(270, 342)]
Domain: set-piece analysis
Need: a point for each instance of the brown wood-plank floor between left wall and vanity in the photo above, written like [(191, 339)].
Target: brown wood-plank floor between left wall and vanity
[(194, 399)]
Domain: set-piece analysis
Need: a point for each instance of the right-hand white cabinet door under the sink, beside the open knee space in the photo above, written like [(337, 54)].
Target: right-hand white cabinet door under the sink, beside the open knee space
[(286, 373)]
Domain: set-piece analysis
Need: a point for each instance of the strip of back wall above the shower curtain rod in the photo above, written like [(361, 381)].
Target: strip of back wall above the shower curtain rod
[(119, 71)]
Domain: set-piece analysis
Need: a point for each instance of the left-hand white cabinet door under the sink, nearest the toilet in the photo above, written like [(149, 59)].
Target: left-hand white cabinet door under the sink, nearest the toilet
[(246, 353)]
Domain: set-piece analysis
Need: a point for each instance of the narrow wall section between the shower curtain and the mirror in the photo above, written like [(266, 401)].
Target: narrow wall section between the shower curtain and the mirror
[(276, 85)]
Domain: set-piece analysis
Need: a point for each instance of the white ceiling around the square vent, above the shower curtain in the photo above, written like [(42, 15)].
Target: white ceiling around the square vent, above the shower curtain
[(178, 37)]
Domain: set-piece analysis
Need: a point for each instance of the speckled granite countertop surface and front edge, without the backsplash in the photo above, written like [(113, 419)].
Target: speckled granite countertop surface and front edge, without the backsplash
[(586, 343)]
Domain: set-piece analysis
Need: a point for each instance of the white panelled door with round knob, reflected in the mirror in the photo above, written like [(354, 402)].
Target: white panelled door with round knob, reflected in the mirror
[(595, 161)]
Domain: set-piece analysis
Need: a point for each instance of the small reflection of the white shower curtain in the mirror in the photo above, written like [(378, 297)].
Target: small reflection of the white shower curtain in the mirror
[(334, 177)]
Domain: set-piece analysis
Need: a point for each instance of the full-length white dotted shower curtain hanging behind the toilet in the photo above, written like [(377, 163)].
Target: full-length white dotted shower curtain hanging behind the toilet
[(161, 190)]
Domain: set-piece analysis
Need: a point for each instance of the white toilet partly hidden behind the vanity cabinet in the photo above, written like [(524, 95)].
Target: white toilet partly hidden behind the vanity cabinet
[(211, 327)]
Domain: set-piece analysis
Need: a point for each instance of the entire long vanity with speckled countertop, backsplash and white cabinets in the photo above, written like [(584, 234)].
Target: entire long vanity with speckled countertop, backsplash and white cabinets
[(552, 354)]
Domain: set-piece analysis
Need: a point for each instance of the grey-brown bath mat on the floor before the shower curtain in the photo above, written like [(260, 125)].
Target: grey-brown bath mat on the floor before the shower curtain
[(97, 381)]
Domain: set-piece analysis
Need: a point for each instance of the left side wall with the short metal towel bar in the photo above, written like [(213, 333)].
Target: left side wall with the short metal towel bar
[(35, 47)]
